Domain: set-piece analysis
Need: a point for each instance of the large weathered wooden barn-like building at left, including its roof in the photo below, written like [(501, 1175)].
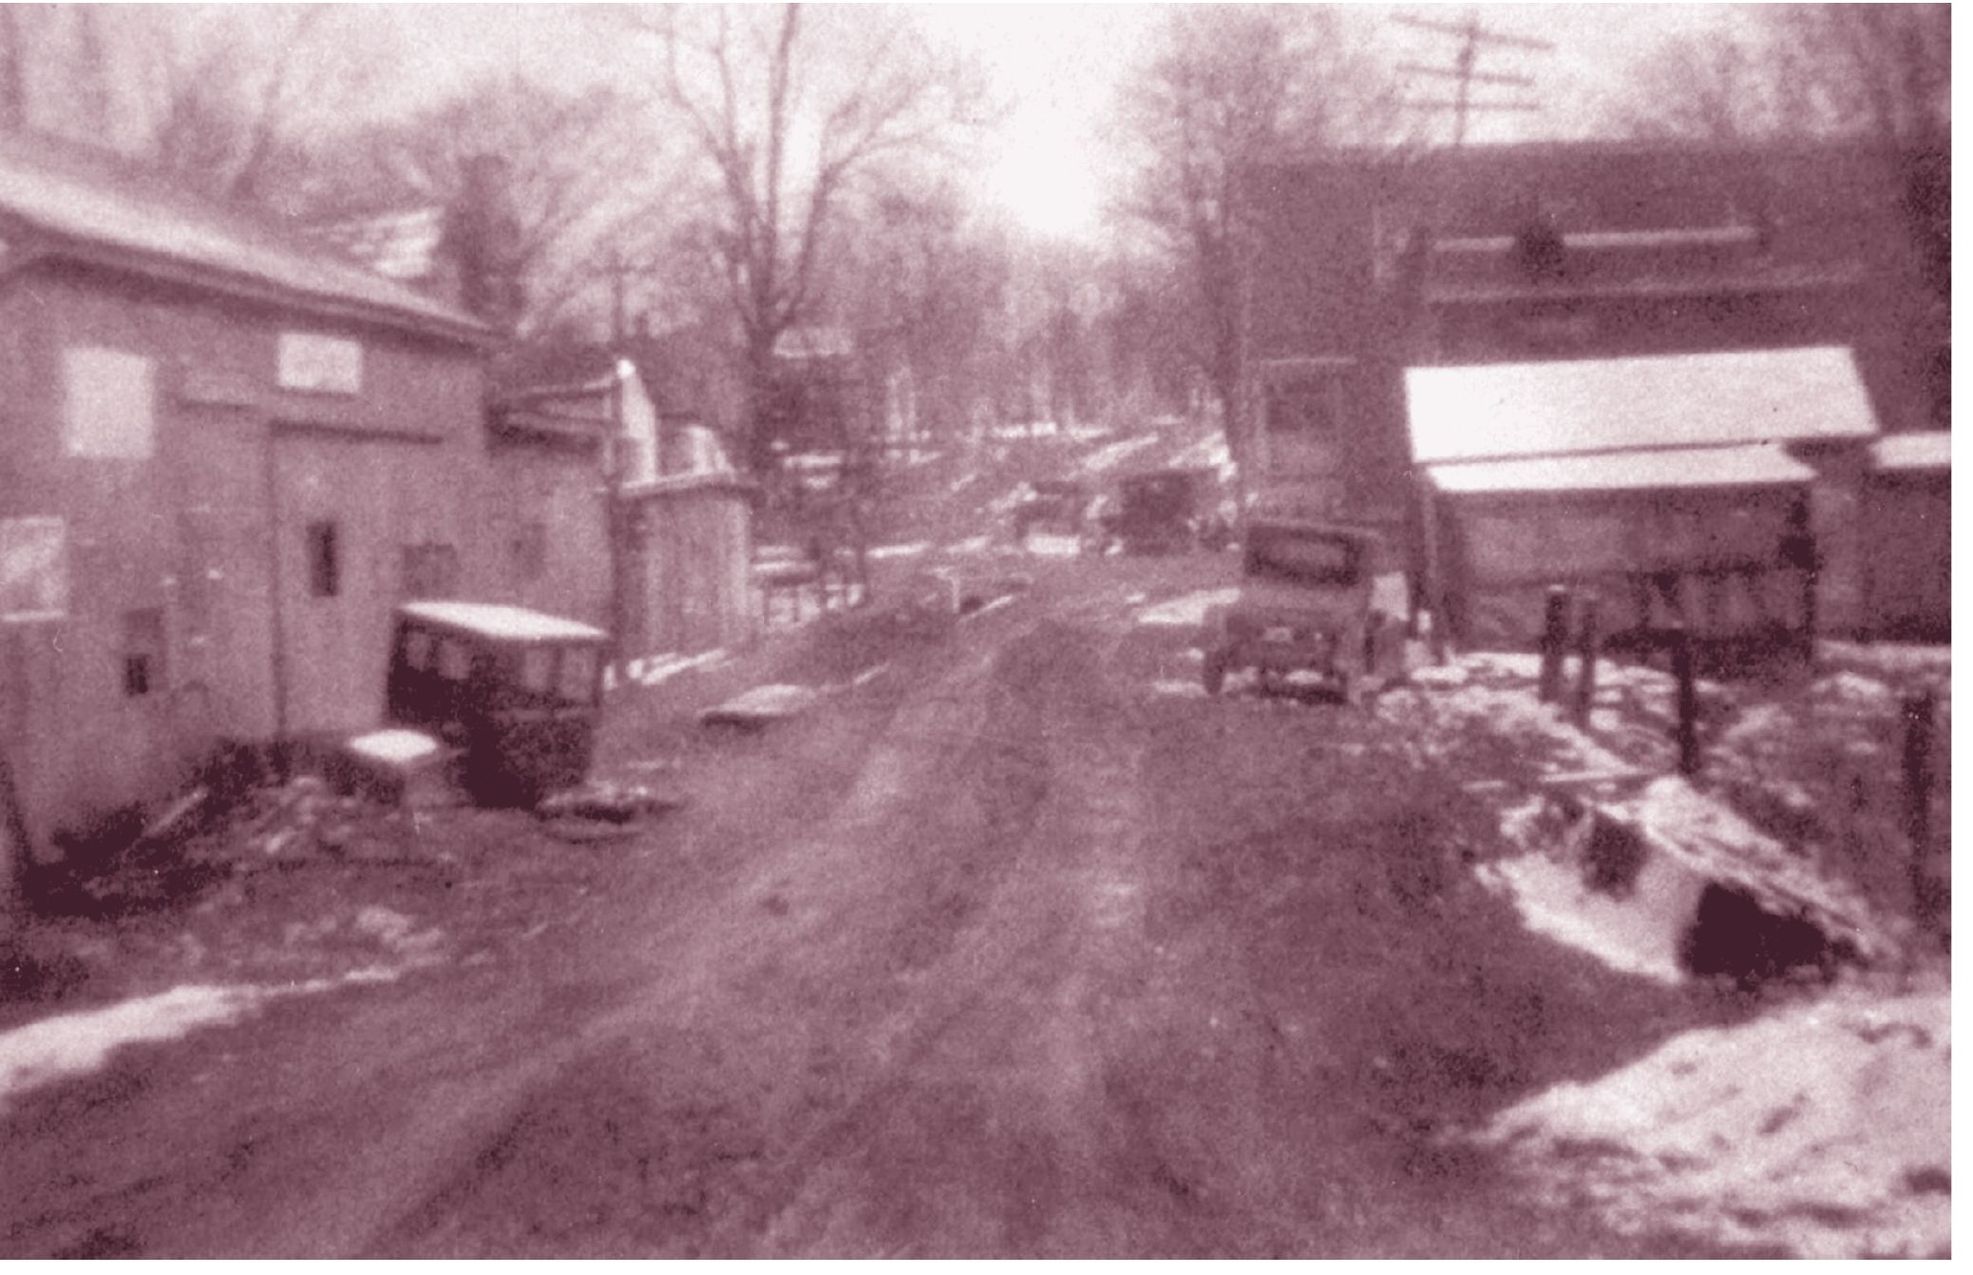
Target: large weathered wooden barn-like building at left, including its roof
[(224, 461)]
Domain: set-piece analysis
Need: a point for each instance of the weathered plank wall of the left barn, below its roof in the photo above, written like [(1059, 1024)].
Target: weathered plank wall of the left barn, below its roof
[(184, 556)]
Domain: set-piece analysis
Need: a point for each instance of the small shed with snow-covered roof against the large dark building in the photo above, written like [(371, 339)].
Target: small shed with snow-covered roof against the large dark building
[(1674, 488)]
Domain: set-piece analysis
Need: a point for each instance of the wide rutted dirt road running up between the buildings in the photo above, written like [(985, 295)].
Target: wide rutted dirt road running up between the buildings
[(1017, 948)]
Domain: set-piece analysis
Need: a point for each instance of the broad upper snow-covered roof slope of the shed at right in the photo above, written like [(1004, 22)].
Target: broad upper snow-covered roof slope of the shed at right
[(1660, 402)]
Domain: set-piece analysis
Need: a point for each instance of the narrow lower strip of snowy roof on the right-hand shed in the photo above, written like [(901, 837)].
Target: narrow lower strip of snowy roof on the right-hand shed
[(1749, 467)]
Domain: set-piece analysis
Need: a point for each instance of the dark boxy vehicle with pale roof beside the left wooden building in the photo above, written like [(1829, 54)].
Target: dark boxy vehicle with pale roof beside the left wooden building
[(516, 692)]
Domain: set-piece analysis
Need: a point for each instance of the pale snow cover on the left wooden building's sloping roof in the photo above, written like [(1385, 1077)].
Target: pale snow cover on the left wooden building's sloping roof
[(121, 214)]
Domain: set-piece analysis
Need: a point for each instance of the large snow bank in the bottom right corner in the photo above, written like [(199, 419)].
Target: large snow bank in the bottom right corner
[(1820, 1128)]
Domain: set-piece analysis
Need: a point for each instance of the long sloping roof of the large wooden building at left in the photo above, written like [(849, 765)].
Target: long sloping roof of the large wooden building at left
[(141, 226)]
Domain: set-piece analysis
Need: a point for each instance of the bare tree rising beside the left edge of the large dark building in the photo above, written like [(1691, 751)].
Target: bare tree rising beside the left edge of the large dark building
[(1230, 88)]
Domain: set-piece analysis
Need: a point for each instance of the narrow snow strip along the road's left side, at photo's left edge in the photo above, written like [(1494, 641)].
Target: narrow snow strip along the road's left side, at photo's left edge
[(84, 1041)]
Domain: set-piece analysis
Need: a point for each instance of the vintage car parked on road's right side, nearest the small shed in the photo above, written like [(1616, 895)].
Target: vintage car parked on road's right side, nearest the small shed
[(1315, 597)]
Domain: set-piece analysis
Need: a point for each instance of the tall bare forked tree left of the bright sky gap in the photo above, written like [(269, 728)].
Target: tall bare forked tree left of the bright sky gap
[(788, 112)]
